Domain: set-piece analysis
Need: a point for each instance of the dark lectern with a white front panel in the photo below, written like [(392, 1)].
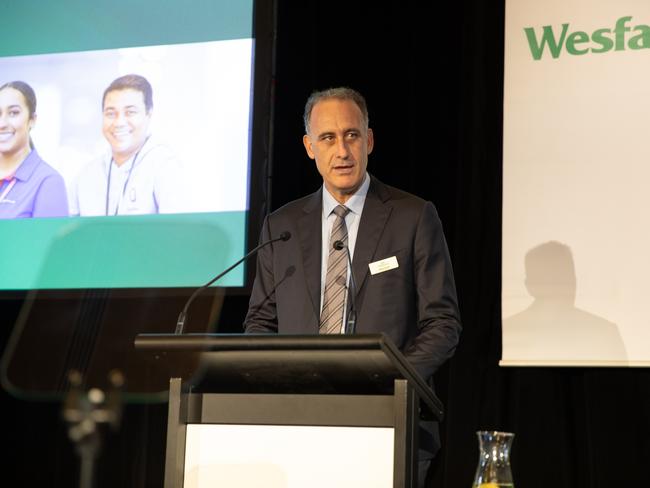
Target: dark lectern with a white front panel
[(285, 411)]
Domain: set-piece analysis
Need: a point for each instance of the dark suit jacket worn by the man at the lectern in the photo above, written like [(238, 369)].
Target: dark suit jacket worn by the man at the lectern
[(414, 304)]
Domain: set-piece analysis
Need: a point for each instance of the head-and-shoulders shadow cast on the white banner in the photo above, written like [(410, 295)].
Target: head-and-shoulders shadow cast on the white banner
[(552, 328)]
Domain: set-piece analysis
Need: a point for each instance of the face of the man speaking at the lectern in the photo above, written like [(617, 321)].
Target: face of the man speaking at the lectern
[(340, 143)]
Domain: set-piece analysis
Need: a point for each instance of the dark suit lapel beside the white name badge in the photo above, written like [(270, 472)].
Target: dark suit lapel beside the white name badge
[(376, 211)]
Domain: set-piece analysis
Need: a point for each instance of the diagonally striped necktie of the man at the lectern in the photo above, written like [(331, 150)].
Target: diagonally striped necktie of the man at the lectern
[(331, 317)]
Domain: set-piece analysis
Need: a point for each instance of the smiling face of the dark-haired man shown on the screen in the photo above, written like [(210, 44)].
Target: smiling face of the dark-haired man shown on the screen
[(126, 122)]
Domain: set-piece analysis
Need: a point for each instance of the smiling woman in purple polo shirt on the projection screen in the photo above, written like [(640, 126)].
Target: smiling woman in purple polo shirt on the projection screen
[(29, 187)]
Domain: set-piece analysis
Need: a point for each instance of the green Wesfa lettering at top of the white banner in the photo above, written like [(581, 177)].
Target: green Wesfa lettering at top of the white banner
[(620, 38)]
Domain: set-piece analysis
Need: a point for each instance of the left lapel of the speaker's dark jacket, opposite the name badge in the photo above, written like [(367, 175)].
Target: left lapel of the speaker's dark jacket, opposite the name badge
[(310, 228)]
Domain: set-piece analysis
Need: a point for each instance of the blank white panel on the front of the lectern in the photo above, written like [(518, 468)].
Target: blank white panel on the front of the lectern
[(277, 456)]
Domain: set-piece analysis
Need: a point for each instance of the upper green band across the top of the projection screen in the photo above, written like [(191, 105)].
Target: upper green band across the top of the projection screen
[(47, 26)]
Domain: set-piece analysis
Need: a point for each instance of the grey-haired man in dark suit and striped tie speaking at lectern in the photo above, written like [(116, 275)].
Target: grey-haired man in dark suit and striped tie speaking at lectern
[(400, 262)]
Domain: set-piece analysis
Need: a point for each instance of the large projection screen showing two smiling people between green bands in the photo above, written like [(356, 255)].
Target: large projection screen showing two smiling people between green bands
[(175, 211)]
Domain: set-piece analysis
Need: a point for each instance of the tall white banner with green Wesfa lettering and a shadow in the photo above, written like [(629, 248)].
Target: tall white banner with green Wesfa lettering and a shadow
[(575, 183)]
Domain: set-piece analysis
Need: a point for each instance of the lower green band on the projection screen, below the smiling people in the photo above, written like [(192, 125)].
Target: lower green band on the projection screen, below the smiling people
[(184, 250)]
